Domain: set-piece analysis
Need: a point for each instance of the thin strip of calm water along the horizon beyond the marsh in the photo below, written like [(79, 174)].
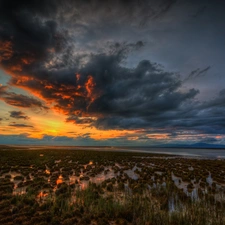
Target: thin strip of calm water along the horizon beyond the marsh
[(185, 152)]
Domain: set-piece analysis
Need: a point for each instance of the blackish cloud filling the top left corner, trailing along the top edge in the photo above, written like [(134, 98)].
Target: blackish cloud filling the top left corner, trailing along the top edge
[(31, 33)]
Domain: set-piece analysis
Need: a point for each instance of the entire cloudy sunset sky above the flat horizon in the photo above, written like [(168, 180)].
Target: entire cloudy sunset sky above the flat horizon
[(113, 72)]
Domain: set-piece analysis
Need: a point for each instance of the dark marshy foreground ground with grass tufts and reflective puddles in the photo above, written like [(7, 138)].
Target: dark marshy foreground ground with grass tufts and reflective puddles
[(102, 187)]
